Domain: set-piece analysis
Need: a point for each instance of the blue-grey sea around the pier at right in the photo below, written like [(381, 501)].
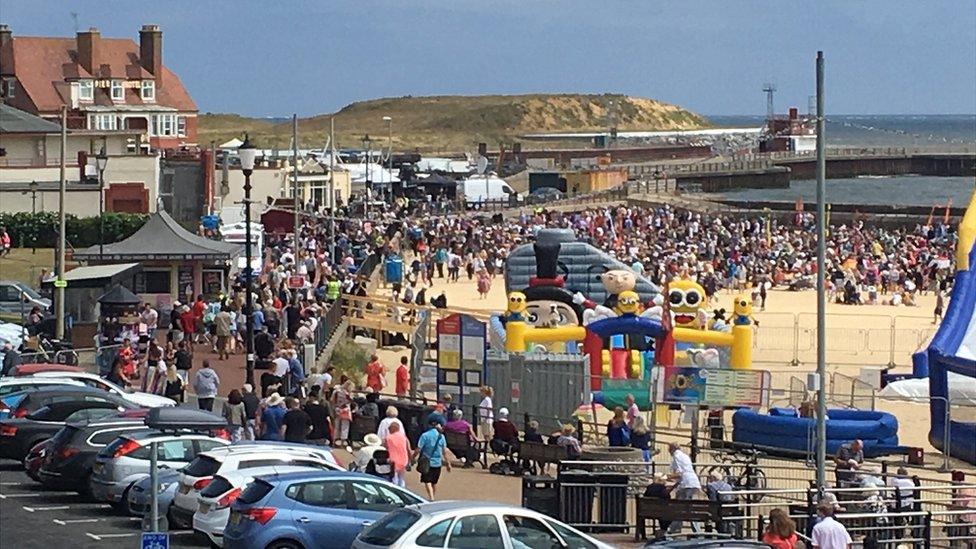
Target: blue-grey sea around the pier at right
[(950, 131)]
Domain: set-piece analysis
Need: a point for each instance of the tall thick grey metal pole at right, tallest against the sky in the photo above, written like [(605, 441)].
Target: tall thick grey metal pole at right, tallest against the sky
[(821, 295)]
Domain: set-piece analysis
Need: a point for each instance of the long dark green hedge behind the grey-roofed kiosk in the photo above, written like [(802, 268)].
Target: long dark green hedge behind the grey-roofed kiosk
[(41, 229)]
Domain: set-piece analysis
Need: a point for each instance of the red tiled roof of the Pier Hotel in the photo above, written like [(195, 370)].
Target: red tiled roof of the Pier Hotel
[(42, 64)]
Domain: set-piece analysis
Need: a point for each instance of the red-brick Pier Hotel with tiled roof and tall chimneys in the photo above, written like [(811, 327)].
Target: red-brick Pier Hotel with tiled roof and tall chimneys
[(108, 84)]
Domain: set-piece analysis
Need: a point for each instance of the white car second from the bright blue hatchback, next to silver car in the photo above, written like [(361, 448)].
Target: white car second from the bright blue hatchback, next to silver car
[(198, 474)]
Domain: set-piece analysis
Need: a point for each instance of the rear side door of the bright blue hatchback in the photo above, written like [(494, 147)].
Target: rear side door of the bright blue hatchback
[(322, 511)]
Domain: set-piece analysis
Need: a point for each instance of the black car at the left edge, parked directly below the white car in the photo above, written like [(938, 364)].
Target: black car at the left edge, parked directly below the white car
[(41, 414)]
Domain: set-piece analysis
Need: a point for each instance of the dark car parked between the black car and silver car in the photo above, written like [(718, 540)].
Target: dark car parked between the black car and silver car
[(68, 462)]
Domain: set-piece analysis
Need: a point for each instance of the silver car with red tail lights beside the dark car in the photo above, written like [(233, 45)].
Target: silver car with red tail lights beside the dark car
[(126, 459)]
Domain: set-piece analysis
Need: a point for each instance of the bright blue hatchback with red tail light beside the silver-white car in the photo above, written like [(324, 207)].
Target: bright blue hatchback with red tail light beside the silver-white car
[(301, 510)]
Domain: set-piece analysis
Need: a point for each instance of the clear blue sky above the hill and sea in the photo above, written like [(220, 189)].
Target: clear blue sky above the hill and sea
[(267, 58)]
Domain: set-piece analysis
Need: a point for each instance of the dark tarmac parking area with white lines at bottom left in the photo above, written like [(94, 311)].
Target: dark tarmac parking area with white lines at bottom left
[(32, 516)]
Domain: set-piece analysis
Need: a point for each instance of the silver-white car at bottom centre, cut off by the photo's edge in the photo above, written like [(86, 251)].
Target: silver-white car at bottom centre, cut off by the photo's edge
[(471, 524)]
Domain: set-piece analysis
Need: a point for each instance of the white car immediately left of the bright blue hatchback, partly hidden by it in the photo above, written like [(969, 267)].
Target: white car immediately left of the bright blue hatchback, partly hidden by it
[(214, 501)]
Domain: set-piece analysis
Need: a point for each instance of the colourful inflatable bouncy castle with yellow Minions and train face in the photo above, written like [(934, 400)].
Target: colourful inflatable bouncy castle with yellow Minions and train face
[(631, 329)]
